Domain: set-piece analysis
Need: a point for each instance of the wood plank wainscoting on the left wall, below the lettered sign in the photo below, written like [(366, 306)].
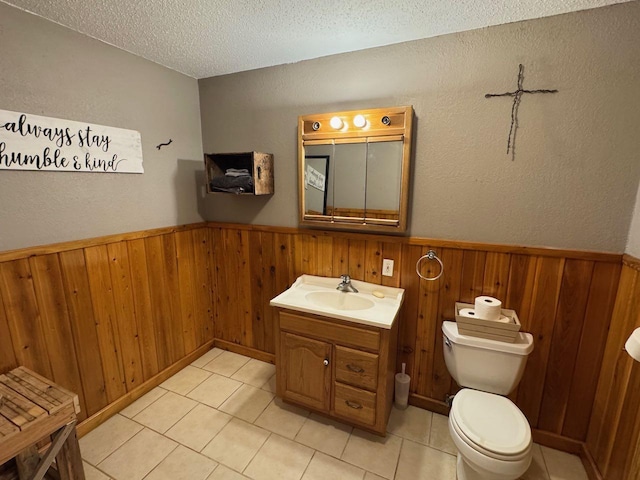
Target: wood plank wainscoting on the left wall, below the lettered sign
[(102, 316)]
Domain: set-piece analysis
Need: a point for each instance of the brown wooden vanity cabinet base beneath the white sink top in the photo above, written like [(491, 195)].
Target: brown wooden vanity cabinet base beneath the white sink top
[(340, 369)]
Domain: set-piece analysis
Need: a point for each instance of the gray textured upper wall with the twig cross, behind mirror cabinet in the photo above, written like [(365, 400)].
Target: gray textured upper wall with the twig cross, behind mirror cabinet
[(575, 175)]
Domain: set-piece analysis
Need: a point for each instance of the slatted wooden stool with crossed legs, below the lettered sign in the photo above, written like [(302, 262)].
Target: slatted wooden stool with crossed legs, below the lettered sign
[(33, 408)]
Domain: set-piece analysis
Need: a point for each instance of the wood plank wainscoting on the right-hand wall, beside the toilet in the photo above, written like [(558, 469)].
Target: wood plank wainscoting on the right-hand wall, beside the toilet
[(613, 438)]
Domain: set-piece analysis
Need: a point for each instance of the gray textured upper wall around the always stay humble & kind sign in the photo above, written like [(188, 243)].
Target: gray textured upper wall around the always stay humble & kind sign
[(46, 69)]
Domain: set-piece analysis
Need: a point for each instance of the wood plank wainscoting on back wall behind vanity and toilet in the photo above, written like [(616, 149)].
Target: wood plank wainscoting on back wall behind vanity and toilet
[(565, 299)]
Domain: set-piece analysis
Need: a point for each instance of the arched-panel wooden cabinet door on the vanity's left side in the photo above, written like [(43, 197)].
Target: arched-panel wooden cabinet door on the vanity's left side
[(307, 373)]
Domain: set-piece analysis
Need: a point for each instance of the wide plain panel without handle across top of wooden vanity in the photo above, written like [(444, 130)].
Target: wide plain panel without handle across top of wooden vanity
[(330, 331)]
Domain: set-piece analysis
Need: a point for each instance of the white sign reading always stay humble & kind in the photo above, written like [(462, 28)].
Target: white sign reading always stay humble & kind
[(32, 142)]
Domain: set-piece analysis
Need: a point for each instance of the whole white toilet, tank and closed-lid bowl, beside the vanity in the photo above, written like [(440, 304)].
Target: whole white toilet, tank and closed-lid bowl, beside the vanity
[(491, 434)]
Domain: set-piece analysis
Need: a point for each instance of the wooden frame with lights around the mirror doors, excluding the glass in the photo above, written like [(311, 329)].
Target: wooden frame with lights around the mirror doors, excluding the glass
[(380, 124)]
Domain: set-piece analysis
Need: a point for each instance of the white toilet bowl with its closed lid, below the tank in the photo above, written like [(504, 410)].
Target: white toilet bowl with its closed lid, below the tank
[(492, 436)]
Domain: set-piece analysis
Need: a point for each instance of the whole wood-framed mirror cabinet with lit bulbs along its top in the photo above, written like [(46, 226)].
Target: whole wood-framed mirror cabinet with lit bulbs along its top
[(354, 169)]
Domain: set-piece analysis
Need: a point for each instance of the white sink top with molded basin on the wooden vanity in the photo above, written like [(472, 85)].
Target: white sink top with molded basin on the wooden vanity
[(318, 295)]
